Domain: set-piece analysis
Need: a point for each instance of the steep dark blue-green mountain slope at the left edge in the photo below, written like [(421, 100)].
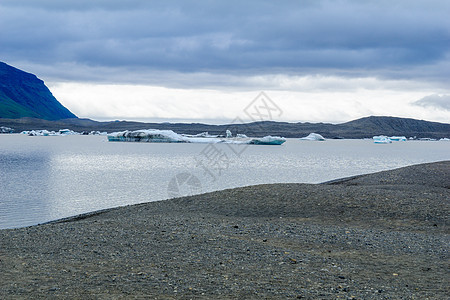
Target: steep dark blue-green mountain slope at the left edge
[(24, 95)]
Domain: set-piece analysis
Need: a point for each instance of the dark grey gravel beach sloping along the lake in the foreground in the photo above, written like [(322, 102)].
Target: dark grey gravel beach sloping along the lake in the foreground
[(376, 236)]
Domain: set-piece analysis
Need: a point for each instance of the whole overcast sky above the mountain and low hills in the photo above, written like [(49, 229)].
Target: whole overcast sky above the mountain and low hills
[(207, 61)]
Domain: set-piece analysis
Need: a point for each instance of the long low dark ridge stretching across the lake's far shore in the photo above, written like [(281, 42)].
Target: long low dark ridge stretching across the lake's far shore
[(361, 128)]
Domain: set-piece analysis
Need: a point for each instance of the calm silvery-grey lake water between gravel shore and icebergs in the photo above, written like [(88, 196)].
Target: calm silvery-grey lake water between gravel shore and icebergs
[(47, 178)]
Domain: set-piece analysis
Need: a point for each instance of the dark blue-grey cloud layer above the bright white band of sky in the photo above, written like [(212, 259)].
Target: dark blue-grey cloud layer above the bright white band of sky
[(373, 38)]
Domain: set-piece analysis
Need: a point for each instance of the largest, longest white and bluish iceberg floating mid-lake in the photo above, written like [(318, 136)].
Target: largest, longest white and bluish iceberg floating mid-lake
[(169, 136)]
